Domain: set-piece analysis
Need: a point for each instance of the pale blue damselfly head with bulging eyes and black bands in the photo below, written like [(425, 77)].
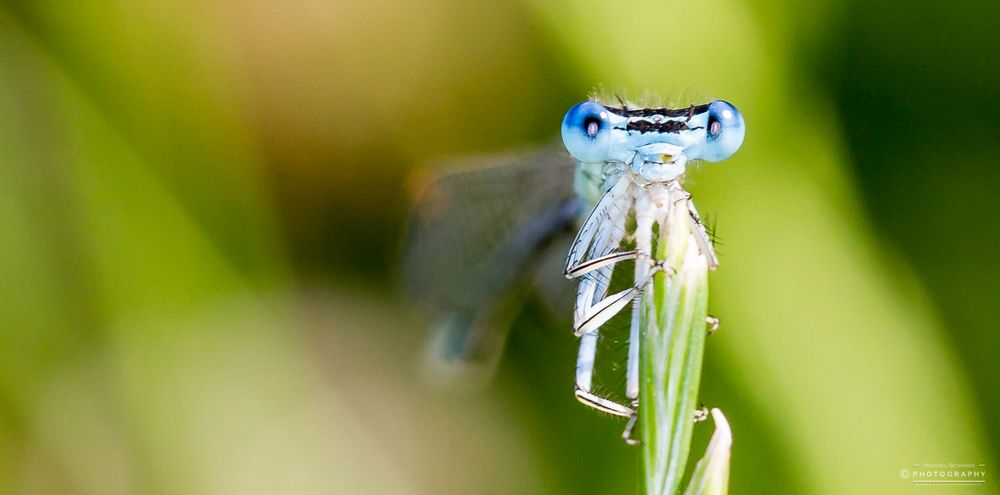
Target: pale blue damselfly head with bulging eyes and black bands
[(656, 143)]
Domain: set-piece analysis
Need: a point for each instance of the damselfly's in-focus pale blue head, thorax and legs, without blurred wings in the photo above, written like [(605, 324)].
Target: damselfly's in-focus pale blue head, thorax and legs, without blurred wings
[(629, 165)]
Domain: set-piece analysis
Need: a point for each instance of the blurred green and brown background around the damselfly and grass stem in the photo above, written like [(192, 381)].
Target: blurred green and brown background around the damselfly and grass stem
[(201, 206)]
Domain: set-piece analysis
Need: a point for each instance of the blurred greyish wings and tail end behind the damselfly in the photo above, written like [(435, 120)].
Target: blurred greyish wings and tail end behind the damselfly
[(474, 240)]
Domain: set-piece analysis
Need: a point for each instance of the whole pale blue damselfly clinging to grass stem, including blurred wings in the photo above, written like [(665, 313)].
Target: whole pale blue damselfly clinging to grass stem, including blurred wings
[(480, 237)]
